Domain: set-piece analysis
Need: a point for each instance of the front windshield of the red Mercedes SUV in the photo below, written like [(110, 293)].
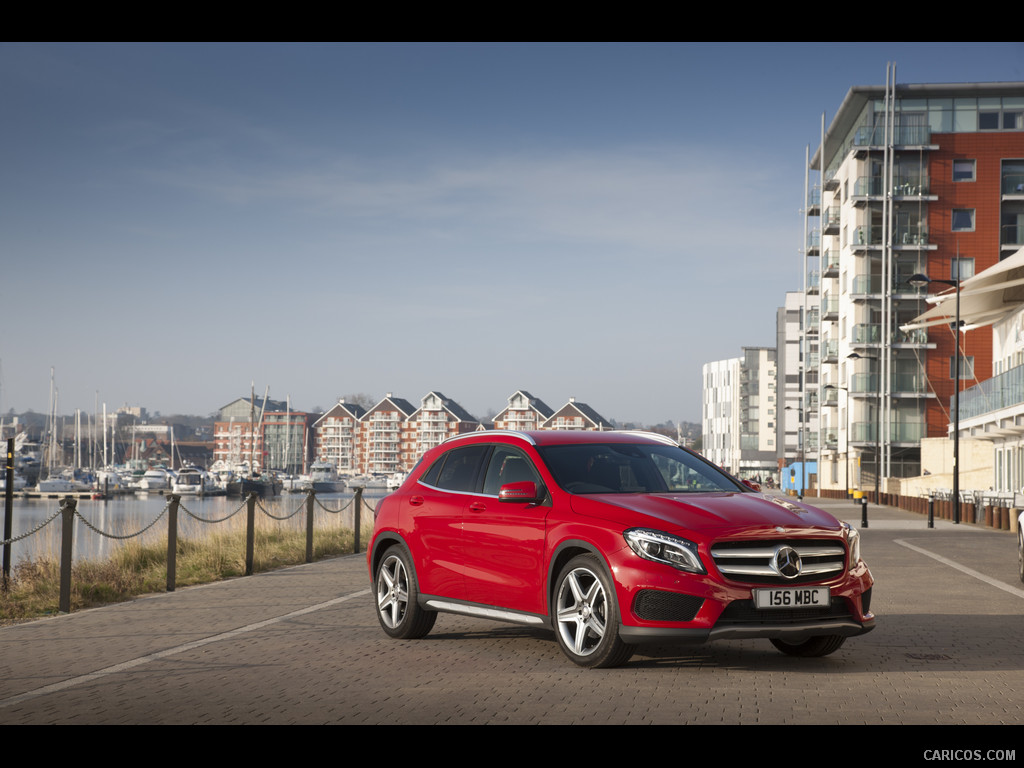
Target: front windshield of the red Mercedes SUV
[(633, 470)]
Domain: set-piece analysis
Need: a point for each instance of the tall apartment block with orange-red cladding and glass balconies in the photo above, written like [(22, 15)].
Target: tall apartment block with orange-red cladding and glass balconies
[(910, 180)]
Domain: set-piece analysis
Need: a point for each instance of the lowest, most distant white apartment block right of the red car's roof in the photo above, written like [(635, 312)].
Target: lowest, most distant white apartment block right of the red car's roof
[(740, 413)]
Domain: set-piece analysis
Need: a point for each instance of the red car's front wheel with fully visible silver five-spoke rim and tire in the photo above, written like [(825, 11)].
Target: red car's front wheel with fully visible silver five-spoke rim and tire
[(586, 615)]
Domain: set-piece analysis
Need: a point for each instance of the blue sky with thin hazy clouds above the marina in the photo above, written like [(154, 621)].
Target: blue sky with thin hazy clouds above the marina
[(181, 222)]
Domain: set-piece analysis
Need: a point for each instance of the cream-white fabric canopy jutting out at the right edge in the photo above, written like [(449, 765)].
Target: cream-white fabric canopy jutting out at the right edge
[(986, 298)]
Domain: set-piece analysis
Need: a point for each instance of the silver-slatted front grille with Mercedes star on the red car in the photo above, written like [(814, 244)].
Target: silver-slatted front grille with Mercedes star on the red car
[(776, 562)]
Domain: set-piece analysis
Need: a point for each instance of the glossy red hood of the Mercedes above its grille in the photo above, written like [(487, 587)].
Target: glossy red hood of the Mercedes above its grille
[(704, 511)]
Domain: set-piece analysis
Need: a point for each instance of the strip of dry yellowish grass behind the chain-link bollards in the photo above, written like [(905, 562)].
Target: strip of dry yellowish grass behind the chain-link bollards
[(138, 569)]
